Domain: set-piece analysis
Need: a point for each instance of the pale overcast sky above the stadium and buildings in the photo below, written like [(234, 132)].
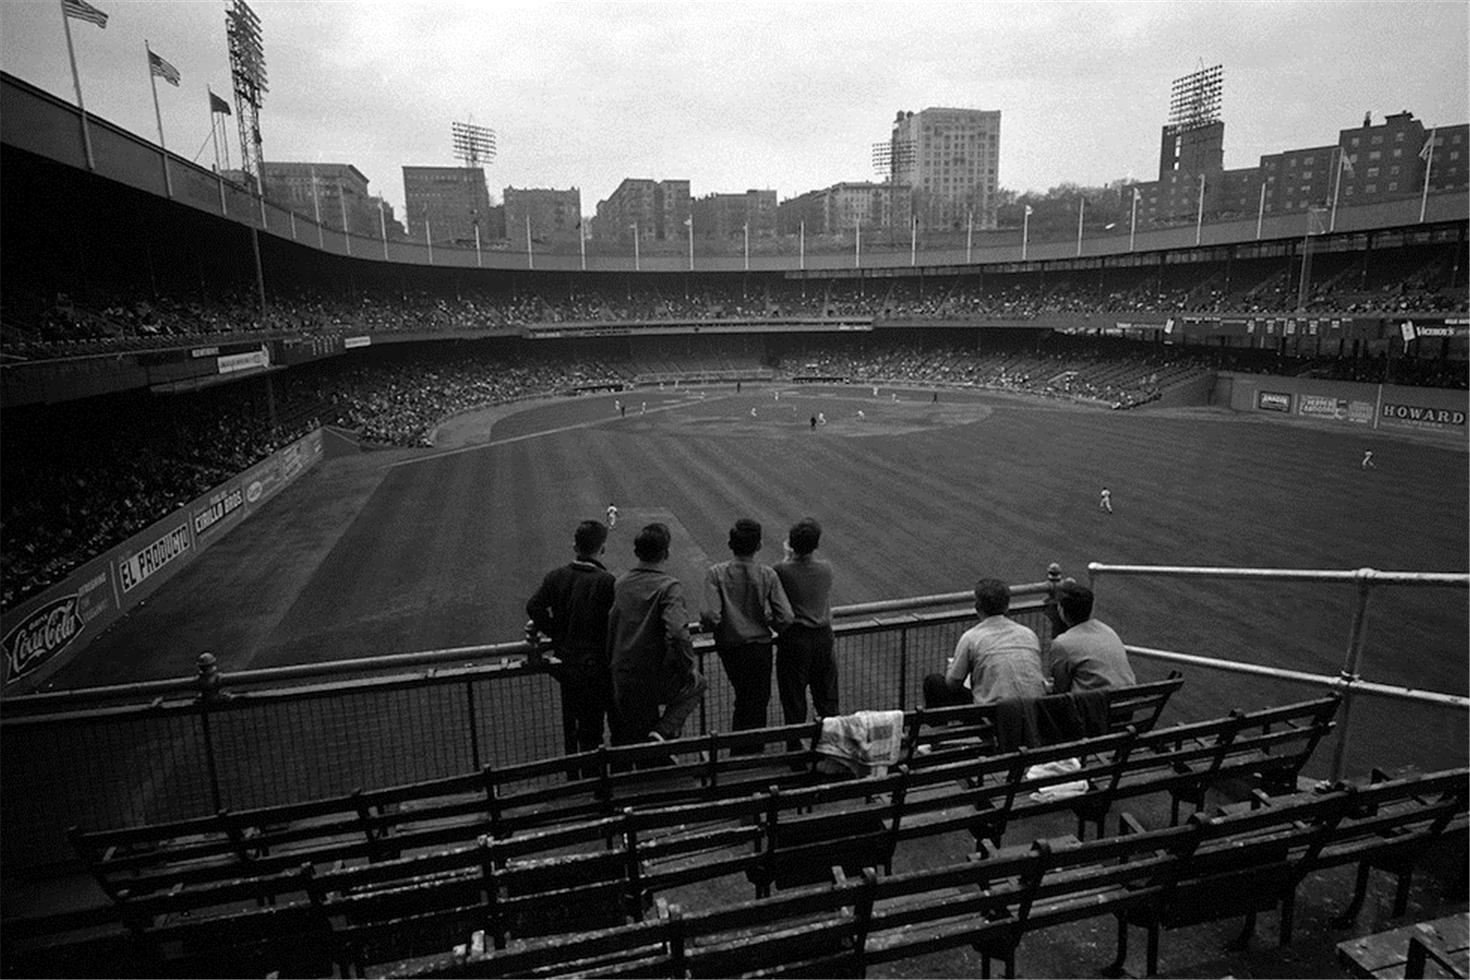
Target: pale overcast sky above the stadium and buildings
[(746, 95)]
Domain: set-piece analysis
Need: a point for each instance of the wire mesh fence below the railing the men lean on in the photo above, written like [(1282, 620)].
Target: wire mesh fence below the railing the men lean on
[(164, 762)]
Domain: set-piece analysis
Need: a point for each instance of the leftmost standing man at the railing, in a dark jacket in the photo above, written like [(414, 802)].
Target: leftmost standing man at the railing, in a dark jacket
[(571, 608)]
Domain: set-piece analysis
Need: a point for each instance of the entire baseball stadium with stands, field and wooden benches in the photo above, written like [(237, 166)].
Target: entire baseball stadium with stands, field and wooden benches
[(276, 497)]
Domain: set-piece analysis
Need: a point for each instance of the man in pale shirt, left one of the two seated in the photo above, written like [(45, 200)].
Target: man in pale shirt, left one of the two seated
[(1000, 657)]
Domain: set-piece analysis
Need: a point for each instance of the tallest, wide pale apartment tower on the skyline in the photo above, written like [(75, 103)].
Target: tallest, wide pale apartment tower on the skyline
[(950, 162)]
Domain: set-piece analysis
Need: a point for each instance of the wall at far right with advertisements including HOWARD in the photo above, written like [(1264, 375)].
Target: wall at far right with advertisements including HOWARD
[(1383, 408)]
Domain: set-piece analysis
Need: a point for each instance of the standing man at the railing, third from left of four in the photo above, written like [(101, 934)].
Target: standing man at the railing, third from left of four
[(743, 605)]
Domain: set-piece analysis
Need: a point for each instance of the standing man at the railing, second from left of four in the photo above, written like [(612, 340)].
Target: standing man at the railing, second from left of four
[(649, 647)]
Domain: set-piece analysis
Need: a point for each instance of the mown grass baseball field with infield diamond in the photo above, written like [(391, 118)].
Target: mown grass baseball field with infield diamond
[(402, 550)]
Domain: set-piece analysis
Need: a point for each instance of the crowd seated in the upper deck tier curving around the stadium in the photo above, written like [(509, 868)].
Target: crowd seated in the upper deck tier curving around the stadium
[(67, 325)]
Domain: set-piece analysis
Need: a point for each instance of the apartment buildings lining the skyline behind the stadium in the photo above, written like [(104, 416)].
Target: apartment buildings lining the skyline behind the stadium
[(940, 171)]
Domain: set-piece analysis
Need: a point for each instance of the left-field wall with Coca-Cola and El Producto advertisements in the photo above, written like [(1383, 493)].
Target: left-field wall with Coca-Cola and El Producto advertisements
[(51, 630)]
